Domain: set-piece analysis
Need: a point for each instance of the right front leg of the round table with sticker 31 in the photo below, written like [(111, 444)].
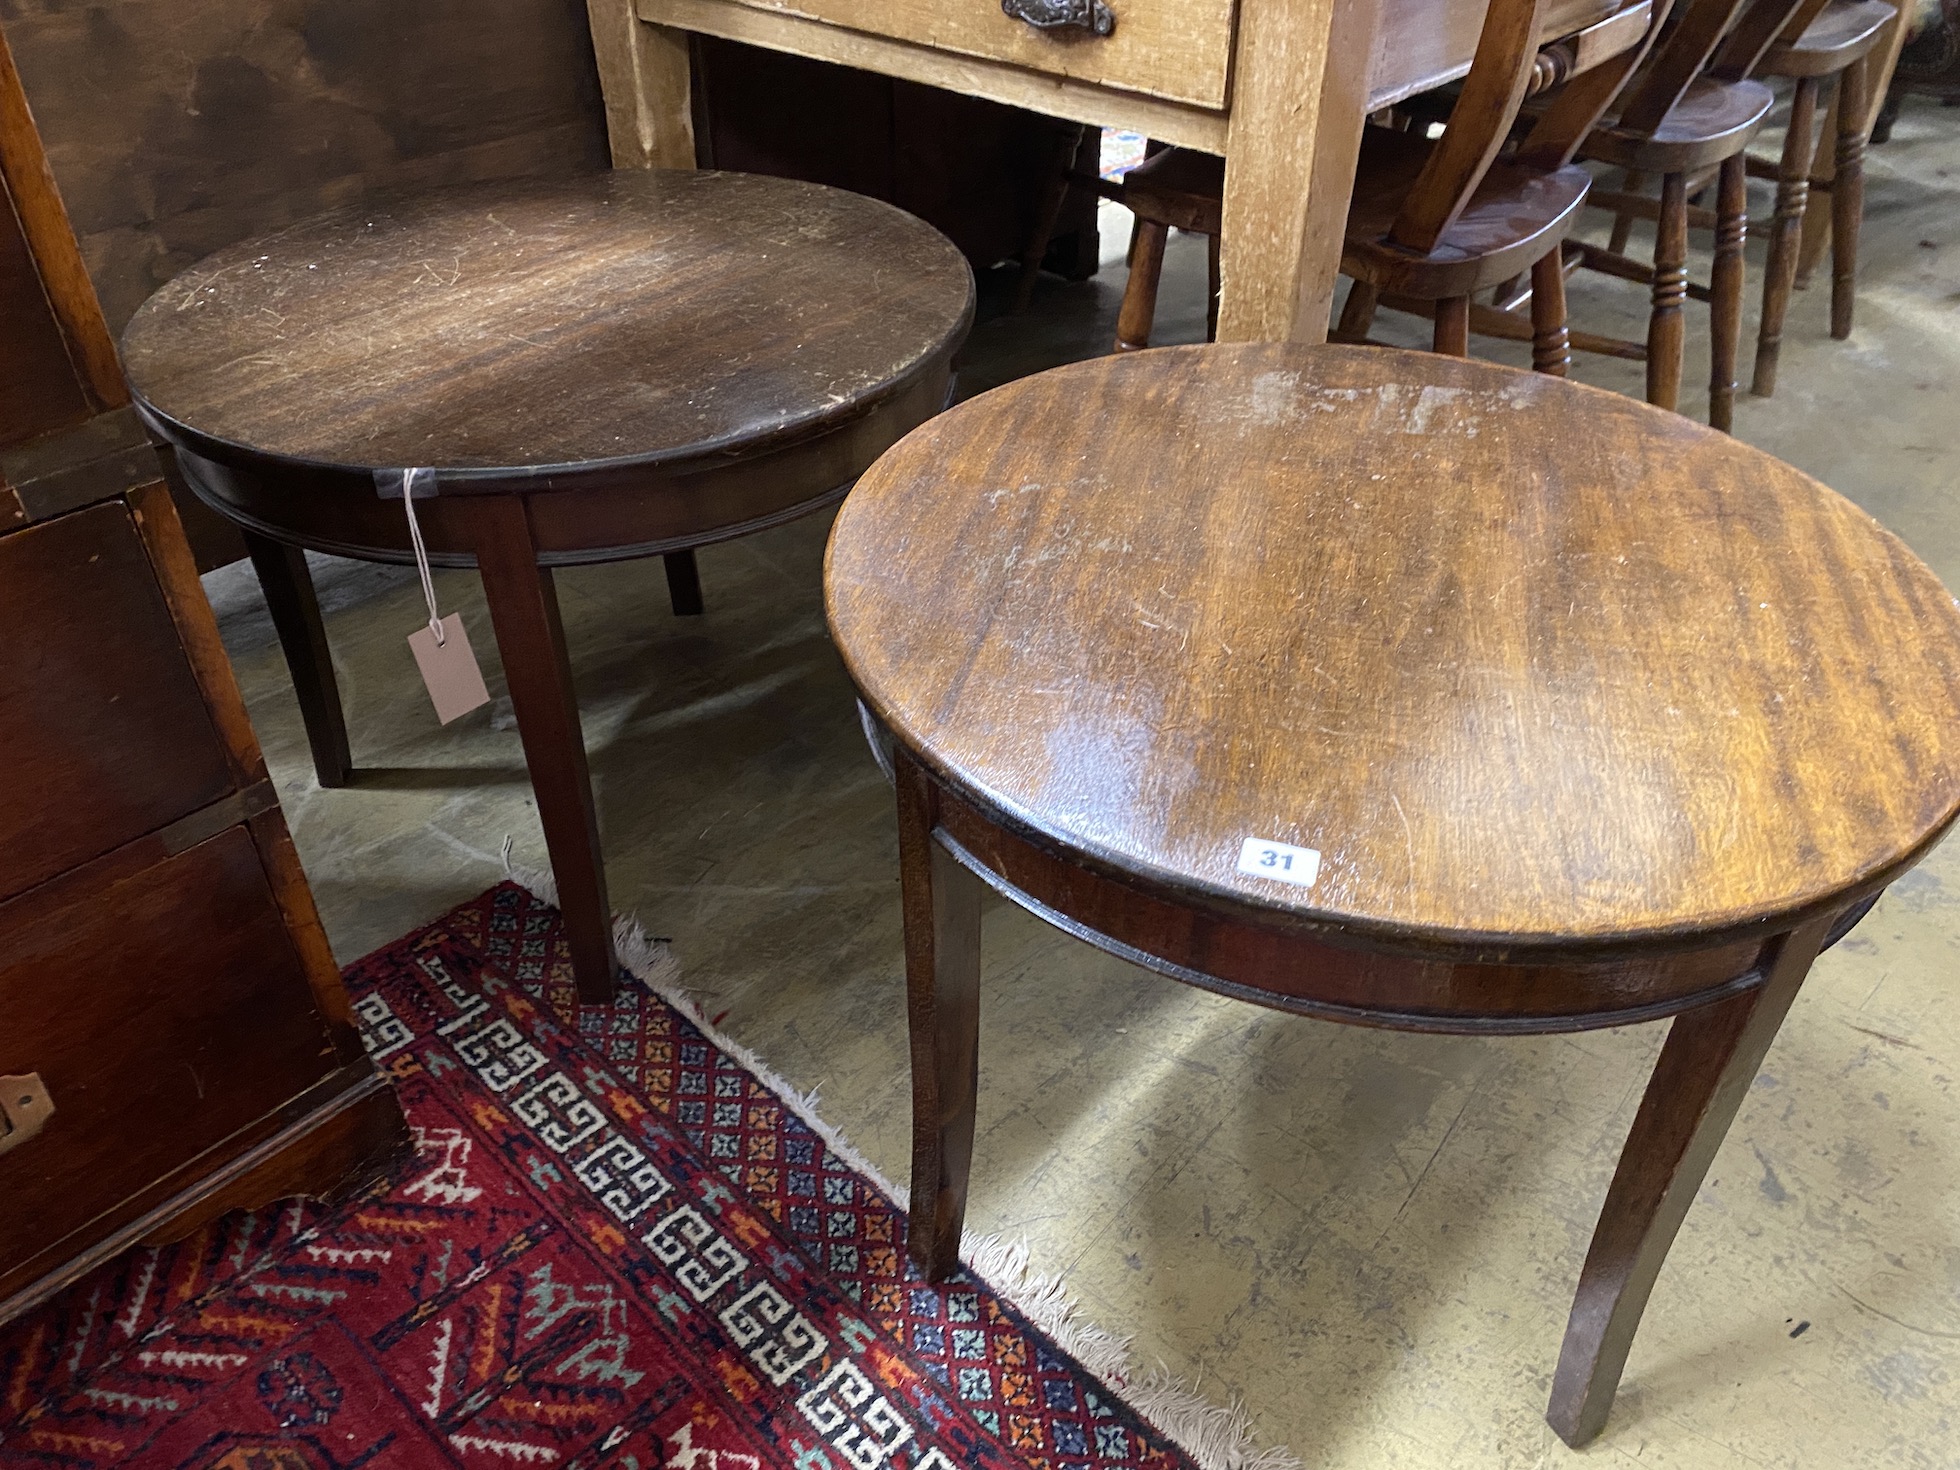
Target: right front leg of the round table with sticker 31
[(1698, 1087)]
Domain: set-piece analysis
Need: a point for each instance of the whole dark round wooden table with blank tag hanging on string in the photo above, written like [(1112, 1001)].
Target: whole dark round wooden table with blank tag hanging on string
[(603, 367)]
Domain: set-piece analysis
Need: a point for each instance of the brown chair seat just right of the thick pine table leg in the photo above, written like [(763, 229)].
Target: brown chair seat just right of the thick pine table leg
[(1516, 217)]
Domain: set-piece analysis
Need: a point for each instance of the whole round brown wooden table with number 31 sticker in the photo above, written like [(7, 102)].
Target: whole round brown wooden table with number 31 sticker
[(1404, 691)]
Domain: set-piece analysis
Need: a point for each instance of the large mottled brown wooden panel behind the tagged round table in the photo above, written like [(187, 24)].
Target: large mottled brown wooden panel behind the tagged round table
[(238, 117)]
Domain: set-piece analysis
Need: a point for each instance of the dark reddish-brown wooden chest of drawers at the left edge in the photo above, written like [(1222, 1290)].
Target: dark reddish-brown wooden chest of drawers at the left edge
[(173, 1032)]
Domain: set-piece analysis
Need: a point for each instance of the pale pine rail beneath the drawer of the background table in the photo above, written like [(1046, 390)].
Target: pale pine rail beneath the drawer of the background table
[(1059, 97)]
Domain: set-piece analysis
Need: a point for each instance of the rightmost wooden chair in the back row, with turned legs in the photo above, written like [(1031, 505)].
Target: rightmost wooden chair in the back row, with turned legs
[(1832, 52)]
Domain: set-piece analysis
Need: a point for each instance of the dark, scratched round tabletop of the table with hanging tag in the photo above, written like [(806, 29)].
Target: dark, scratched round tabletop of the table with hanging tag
[(622, 318)]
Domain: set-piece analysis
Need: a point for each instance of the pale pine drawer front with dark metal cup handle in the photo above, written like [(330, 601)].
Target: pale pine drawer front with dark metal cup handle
[(1177, 50)]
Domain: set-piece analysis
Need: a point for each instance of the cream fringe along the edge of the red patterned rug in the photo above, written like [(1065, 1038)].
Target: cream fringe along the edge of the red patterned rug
[(1218, 1438)]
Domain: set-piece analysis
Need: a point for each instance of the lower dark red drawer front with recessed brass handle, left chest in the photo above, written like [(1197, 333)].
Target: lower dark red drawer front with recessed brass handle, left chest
[(164, 1014)]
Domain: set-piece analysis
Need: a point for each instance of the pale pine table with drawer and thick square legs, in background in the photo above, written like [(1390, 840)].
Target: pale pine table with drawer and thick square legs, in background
[(1279, 87)]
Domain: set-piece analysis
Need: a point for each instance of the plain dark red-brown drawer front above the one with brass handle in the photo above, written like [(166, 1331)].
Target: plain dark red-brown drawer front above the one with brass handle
[(103, 728)]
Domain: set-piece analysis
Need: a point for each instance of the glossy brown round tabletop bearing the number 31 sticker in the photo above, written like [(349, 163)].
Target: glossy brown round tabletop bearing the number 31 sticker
[(1534, 667)]
